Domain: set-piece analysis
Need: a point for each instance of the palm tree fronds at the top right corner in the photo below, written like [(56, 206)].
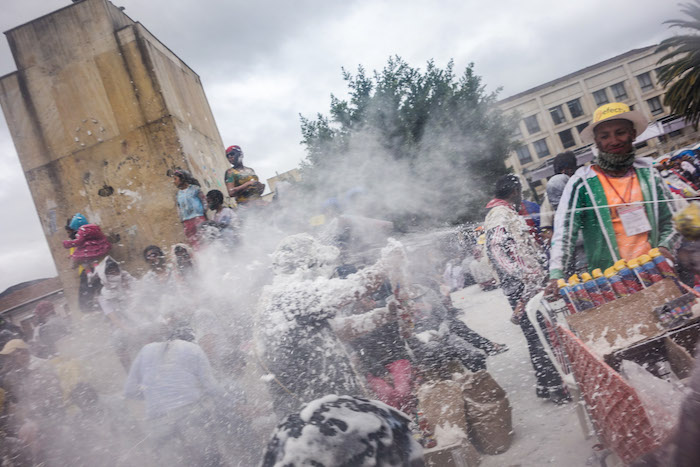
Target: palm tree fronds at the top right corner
[(681, 72)]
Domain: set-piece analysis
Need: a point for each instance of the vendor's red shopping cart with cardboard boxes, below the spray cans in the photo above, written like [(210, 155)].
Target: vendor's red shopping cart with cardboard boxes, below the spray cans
[(628, 357)]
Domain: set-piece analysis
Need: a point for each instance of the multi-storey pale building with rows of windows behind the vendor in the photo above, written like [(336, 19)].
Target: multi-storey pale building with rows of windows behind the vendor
[(552, 115)]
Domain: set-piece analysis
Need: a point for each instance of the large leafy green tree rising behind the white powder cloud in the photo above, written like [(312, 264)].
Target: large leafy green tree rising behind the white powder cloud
[(425, 146)]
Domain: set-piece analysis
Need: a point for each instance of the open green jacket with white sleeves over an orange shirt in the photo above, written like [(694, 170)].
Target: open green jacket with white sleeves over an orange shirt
[(584, 207)]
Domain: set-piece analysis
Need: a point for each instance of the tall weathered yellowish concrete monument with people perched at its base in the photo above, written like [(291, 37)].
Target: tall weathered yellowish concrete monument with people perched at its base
[(100, 113)]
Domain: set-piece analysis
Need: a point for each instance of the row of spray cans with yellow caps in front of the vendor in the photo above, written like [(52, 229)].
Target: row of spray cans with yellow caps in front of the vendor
[(620, 280)]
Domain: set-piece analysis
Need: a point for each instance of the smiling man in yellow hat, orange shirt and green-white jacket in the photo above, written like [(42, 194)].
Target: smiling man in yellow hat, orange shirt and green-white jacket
[(619, 203)]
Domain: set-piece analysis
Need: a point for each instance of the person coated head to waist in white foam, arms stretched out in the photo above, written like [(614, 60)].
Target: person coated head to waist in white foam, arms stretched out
[(298, 328)]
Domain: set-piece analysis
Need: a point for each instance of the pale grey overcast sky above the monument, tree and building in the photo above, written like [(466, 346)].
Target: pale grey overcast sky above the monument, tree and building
[(264, 63)]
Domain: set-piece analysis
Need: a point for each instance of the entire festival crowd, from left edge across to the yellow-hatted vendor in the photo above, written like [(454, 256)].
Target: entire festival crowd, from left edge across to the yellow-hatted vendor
[(222, 339)]
